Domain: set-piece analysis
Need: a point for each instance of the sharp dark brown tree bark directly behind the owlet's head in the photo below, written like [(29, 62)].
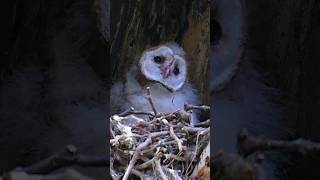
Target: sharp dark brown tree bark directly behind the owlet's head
[(138, 24)]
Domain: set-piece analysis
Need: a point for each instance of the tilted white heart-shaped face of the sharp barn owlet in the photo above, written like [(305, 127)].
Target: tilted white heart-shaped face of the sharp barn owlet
[(164, 66)]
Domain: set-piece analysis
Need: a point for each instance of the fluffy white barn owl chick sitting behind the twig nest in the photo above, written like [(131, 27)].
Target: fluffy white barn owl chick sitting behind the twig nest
[(162, 68)]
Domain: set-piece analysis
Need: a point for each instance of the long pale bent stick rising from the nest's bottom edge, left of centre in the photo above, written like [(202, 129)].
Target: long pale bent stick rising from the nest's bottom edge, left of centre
[(137, 152)]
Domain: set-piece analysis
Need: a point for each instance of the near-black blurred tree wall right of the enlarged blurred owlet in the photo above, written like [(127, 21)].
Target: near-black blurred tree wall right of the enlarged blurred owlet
[(285, 37)]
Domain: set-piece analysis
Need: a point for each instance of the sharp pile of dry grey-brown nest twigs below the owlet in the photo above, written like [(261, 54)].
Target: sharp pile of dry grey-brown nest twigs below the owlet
[(153, 145)]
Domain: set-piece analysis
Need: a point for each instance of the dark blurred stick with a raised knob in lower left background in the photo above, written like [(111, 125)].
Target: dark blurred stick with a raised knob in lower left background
[(64, 158)]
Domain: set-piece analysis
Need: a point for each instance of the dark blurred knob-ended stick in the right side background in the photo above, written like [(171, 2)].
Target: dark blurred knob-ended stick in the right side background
[(250, 144)]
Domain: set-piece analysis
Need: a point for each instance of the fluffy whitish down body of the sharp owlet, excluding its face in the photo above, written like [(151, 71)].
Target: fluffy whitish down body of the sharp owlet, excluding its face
[(132, 92)]
